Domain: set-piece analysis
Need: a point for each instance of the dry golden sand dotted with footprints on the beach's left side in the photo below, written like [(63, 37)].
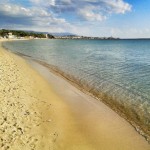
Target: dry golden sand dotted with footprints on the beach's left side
[(28, 108)]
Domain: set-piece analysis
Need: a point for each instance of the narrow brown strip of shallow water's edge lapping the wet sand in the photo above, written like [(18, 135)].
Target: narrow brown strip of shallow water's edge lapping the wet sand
[(61, 74)]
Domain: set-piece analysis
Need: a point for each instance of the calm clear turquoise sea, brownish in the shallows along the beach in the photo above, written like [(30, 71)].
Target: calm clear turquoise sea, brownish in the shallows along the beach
[(117, 71)]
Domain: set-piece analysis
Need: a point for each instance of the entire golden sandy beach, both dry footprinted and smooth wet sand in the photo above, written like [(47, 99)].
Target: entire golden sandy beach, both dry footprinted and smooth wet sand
[(42, 111)]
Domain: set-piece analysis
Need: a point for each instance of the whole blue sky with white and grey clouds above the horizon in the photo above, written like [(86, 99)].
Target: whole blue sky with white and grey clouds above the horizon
[(103, 18)]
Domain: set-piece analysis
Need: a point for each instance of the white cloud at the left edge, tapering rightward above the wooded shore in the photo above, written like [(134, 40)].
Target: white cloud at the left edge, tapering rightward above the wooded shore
[(38, 16)]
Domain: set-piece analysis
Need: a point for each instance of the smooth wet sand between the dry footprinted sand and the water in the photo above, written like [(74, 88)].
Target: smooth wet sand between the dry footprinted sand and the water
[(103, 127)]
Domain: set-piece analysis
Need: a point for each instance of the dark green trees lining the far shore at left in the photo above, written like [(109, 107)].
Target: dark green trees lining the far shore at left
[(19, 33)]
